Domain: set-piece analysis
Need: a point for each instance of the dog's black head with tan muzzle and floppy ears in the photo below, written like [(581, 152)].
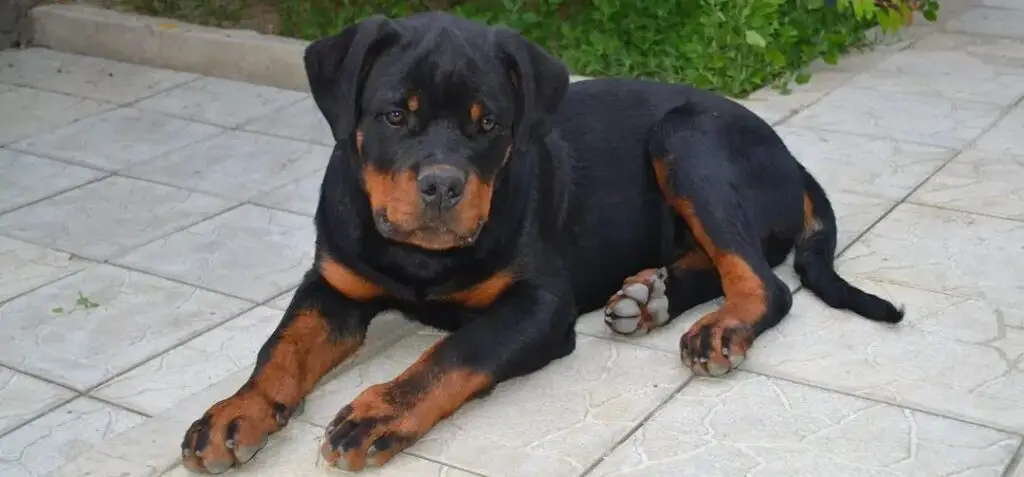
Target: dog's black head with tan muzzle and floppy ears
[(434, 107)]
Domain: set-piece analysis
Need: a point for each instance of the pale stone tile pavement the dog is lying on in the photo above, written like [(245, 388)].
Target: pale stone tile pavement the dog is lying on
[(133, 201)]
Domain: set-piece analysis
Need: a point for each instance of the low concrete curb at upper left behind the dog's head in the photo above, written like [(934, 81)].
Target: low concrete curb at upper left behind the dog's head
[(235, 55)]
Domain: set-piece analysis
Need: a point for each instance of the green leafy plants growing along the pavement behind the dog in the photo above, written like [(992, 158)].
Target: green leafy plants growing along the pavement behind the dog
[(732, 47)]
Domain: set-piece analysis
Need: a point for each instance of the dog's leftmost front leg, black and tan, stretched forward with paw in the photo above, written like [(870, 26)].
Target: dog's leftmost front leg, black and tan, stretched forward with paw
[(320, 330)]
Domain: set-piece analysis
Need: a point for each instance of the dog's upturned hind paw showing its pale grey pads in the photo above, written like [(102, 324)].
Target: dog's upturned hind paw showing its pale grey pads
[(641, 306)]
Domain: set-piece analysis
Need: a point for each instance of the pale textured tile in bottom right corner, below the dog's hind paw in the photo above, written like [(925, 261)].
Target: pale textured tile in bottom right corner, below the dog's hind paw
[(751, 425)]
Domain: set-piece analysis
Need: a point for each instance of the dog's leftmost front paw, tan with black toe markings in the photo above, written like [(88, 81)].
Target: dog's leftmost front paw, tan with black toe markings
[(232, 432)]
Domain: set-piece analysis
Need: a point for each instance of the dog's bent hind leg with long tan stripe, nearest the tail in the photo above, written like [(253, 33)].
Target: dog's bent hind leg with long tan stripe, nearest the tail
[(702, 176)]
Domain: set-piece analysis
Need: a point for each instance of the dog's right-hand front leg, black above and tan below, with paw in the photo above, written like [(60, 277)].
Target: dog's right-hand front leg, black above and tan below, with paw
[(528, 328)]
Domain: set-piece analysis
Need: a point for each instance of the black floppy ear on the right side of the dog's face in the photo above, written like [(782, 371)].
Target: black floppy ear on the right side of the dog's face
[(541, 82)]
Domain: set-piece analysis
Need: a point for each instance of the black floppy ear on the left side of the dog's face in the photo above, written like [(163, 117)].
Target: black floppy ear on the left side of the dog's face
[(336, 68)]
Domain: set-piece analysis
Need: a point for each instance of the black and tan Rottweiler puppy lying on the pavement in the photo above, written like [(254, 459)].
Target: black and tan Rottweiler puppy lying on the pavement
[(476, 191)]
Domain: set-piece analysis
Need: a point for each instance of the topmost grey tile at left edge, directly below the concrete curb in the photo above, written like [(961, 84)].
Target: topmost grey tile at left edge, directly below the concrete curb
[(84, 76)]
